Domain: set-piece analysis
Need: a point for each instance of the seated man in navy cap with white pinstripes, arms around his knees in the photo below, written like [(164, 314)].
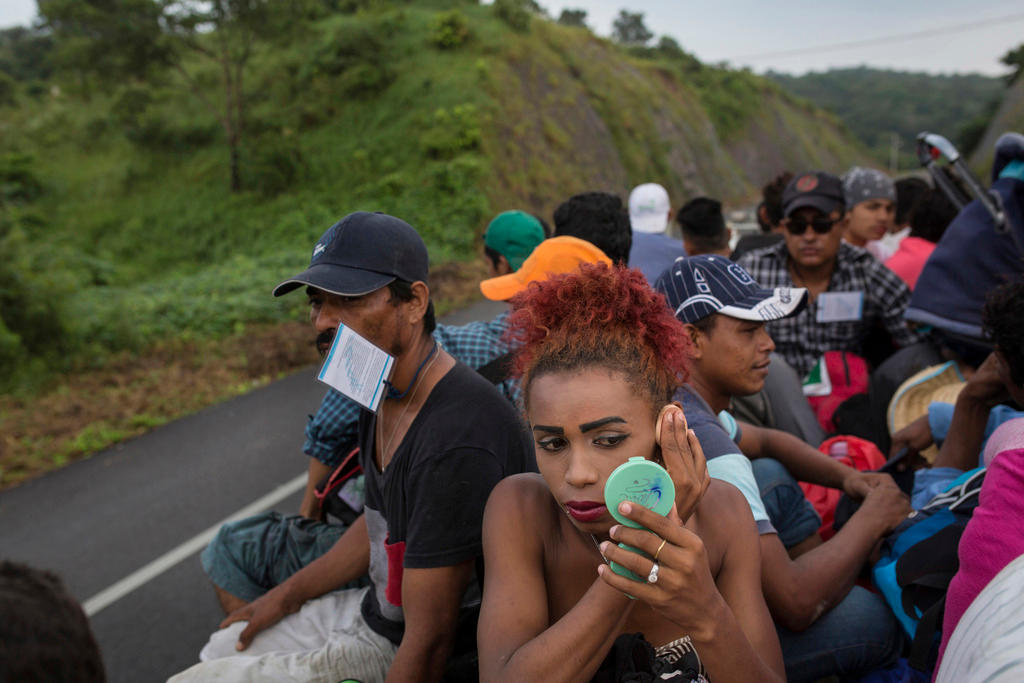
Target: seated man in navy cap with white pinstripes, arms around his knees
[(825, 628)]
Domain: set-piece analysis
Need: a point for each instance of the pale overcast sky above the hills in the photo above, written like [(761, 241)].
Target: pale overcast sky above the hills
[(936, 36)]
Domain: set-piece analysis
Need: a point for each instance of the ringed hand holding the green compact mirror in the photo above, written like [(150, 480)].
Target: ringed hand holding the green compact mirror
[(684, 589)]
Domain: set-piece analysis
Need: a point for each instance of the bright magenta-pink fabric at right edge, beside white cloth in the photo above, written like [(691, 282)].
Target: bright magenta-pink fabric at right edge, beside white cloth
[(993, 538)]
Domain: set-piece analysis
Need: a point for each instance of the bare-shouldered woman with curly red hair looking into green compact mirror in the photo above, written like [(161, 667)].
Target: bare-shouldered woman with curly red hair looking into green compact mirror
[(602, 357)]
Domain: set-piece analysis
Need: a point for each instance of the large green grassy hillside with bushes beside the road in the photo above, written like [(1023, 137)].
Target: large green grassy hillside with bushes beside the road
[(122, 223)]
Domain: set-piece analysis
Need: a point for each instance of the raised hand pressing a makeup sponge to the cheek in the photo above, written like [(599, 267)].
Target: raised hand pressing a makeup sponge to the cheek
[(684, 457)]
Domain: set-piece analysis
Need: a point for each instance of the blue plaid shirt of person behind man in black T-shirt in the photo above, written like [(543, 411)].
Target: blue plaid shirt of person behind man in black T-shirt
[(333, 433)]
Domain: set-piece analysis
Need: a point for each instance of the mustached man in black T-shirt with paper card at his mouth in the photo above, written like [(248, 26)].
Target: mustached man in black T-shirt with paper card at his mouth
[(436, 446)]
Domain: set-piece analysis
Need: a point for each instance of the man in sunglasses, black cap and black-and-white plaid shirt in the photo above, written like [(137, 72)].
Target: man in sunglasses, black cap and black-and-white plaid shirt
[(849, 292)]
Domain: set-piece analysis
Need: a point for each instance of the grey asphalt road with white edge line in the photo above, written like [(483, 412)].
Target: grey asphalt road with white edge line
[(145, 505)]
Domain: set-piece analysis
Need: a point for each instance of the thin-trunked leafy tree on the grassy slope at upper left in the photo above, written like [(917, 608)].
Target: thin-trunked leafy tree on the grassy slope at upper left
[(131, 39)]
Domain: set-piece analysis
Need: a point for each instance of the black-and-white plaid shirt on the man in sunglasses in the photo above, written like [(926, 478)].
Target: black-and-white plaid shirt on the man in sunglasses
[(801, 339)]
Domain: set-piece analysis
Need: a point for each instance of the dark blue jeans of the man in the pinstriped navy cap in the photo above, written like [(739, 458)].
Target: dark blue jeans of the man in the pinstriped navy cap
[(859, 635)]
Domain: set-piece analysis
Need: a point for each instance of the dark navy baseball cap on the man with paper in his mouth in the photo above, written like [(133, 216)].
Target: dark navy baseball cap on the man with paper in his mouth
[(362, 253)]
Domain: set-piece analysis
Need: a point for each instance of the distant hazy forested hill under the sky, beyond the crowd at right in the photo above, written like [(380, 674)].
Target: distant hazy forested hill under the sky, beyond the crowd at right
[(876, 104)]
